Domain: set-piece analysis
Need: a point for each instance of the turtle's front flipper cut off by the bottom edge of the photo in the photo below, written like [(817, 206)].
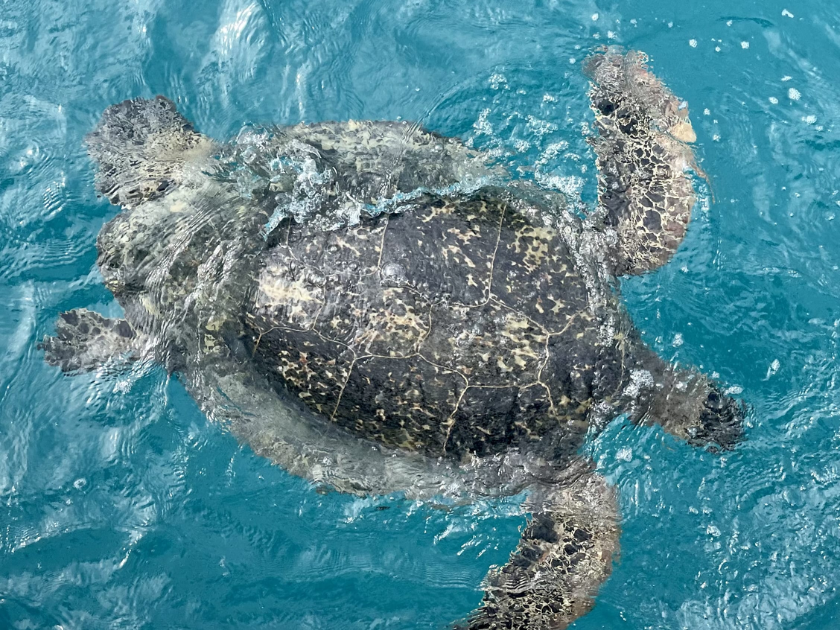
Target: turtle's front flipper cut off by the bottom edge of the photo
[(565, 553)]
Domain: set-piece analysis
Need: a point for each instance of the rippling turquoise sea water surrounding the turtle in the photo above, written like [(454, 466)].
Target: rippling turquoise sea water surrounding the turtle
[(122, 507)]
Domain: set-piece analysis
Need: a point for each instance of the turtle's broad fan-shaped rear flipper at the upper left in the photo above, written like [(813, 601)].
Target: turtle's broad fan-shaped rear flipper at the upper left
[(140, 147)]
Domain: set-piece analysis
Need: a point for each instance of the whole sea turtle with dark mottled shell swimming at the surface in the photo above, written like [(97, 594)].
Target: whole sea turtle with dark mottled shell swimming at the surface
[(377, 308)]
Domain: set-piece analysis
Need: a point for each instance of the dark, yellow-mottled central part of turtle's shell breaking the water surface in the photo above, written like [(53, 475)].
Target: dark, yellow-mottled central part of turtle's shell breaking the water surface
[(458, 325)]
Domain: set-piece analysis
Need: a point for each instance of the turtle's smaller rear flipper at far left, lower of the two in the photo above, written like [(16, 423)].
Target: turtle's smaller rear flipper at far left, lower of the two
[(86, 340)]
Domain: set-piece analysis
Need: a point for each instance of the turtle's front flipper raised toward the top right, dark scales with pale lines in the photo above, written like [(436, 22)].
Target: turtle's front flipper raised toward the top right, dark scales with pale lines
[(645, 195)]
